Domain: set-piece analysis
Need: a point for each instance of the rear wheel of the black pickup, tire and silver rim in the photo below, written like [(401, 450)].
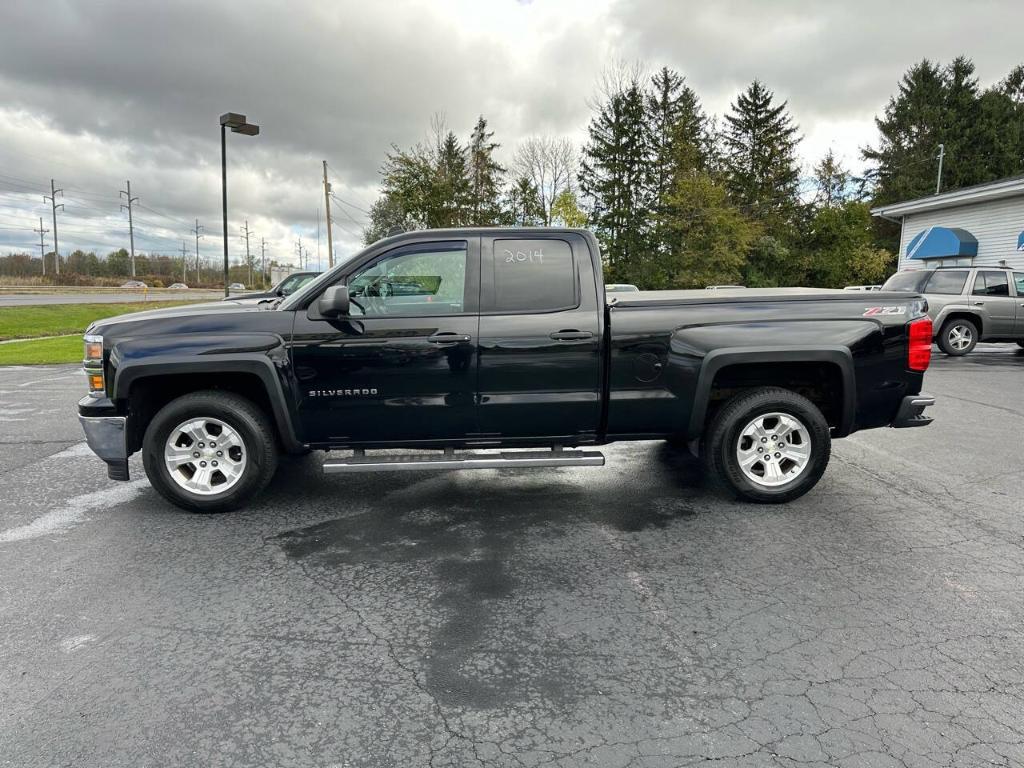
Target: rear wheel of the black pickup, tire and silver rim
[(769, 480)]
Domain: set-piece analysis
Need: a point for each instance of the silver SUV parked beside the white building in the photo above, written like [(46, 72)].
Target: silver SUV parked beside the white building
[(969, 305)]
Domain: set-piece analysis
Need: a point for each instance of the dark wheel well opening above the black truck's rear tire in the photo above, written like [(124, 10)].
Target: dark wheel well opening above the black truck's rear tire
[(822, 383)]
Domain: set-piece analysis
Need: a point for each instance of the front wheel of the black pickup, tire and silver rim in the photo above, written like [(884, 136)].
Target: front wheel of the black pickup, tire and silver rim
[(243, 471)]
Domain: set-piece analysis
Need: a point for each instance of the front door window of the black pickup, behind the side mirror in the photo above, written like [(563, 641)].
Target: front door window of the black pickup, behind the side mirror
[(421, 282)]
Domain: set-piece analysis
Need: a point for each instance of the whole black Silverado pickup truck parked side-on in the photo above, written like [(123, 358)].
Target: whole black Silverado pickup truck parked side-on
[(493, 349)]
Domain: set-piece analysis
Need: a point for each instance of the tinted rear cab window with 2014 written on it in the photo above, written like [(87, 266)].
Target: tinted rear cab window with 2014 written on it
[(535, 276)]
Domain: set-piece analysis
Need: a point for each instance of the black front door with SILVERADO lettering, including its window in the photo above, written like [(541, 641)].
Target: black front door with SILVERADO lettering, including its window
[(402, 367)]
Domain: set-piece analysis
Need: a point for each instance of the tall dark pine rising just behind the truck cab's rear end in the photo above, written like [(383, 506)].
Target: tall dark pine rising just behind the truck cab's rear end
[(615, 178)]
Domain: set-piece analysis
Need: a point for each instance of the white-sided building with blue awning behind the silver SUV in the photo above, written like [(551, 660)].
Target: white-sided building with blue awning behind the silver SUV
[(980, 226)]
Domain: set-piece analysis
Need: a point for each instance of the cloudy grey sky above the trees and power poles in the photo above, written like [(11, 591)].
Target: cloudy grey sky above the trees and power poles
[(94, 93)]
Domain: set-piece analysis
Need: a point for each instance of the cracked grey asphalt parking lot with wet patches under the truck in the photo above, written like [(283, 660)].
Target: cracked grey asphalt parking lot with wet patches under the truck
[(624, 617)]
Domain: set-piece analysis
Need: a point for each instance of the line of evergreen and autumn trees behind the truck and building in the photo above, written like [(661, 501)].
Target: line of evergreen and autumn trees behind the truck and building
[(681, 199)]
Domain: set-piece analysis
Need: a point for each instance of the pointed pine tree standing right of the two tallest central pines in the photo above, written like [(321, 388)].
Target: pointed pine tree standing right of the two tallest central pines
[(760, 145)]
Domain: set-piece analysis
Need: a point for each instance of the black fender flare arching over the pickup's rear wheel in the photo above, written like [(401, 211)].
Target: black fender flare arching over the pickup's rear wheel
[(719, 359)]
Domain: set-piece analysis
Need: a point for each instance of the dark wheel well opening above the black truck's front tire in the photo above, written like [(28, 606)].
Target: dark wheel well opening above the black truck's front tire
[(151, 394)]
